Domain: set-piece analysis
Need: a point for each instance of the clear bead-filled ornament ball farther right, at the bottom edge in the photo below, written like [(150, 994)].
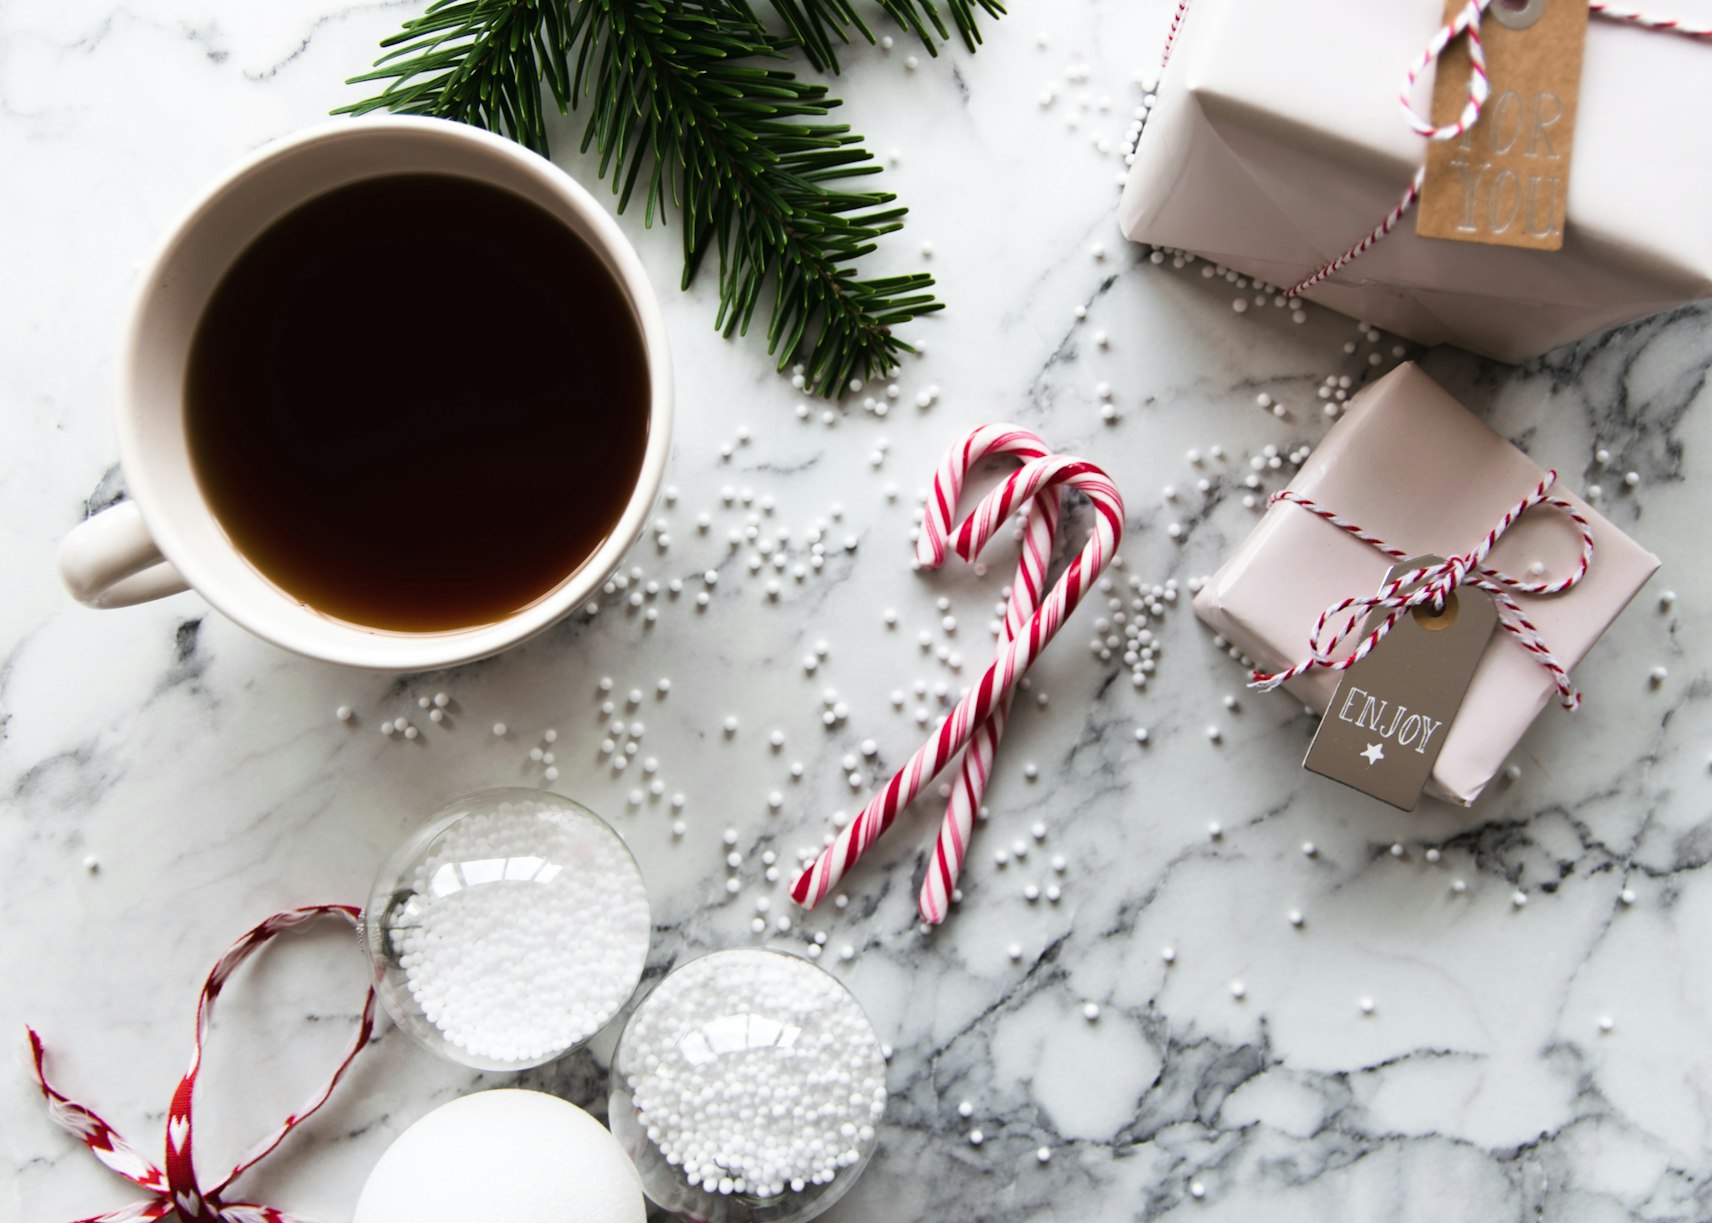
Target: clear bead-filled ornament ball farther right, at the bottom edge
[(749, 1089)]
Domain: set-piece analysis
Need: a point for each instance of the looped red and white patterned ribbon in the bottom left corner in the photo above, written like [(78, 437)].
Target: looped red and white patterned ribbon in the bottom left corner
[(177, 1188)]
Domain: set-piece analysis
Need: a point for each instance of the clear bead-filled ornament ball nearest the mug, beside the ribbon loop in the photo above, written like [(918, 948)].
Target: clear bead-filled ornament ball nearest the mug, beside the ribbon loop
[(508, 931)]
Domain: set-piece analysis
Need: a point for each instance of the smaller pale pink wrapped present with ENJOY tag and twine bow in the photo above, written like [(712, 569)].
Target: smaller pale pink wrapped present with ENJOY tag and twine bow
[(1427, 588)]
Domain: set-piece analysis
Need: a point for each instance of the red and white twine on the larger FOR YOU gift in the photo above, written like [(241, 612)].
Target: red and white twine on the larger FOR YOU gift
[(1465, 25)]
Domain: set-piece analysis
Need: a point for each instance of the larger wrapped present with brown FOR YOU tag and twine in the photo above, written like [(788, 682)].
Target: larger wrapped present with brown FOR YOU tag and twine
[(1557, 188)]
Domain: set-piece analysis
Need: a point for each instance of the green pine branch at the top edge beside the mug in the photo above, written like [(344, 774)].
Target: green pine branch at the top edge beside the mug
[(684, 105)]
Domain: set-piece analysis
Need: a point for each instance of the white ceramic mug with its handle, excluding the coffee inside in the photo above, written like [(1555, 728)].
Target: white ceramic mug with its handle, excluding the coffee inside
[(167, 539)]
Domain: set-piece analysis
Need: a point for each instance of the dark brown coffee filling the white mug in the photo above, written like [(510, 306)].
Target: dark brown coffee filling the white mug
[(417, 403)]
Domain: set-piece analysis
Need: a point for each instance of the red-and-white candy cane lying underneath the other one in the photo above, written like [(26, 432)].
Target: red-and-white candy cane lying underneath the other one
[(1025, 597)]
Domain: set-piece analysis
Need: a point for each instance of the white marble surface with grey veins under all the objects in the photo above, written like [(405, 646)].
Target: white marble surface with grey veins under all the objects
[(210, 780)]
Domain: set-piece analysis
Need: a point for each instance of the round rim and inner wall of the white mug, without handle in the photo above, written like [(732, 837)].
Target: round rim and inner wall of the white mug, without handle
[(355, 645)]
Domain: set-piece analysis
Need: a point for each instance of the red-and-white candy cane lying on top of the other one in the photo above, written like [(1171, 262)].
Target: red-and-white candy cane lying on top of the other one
[(1014, 657)]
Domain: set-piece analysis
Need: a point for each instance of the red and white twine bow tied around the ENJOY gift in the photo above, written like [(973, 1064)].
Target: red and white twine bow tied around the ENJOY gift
[(1432, 585)]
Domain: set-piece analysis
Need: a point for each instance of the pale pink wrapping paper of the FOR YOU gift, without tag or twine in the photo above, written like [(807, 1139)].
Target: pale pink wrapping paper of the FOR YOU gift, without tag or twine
[(1278, 143)]
